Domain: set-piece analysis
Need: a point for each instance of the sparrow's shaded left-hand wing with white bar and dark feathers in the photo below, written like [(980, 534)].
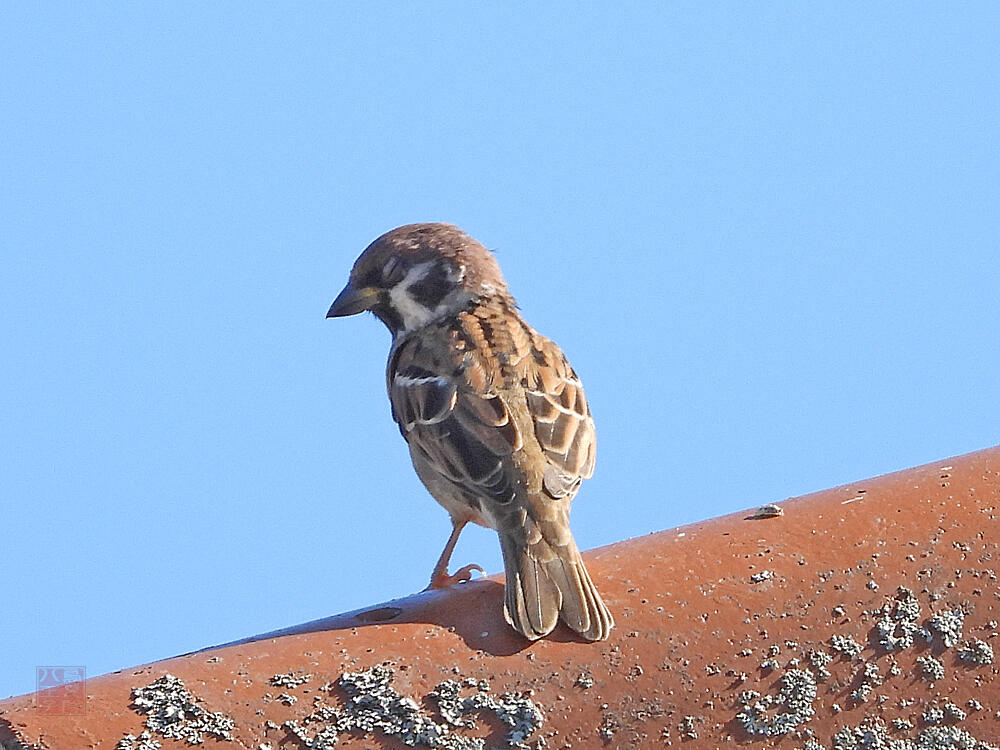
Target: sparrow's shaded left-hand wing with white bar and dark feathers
[(466, 433)]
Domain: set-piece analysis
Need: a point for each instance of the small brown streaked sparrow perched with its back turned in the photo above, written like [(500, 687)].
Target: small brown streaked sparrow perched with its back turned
[(498, 427)]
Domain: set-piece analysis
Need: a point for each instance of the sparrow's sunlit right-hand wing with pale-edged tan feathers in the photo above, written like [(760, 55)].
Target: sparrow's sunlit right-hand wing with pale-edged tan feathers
[(563, 424)]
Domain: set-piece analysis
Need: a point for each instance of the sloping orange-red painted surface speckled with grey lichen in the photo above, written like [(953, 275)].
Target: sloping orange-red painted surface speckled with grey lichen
[(805, 602)]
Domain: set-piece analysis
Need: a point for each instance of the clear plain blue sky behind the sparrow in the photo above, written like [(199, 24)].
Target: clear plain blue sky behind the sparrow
[(766, 236)]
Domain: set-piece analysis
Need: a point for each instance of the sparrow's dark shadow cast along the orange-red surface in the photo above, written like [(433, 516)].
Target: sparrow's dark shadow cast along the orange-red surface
[(472, 610)]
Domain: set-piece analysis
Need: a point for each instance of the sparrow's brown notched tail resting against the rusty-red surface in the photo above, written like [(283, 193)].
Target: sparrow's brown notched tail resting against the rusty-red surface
[(547, 582)]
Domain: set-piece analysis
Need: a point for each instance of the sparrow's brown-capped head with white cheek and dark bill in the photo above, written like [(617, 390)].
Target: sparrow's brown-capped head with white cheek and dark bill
[(418, 273)]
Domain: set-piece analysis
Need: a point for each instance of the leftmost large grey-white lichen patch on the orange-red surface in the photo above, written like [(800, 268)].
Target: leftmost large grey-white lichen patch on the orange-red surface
[(173, 712)]
